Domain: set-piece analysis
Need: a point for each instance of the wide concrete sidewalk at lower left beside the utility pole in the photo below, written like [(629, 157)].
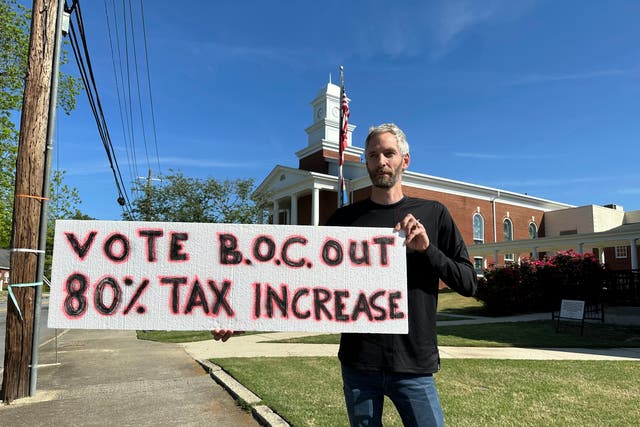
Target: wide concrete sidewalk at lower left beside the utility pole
[(112, 378)]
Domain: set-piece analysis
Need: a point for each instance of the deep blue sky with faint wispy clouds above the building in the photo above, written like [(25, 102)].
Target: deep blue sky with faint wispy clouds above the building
[(537, 97)]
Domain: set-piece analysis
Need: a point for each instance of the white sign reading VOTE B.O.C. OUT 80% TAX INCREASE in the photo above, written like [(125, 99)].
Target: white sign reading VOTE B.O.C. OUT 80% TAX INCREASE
[(189, 276)]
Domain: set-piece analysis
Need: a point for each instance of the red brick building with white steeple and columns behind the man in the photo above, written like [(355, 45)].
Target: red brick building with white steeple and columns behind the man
[(498, 226)]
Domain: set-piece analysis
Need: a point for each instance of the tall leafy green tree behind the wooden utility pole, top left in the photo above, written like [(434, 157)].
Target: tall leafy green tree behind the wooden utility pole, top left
[(14, 47)]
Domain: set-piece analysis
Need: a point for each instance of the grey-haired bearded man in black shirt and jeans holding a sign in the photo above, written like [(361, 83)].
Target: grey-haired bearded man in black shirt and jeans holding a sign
[(402, 366)]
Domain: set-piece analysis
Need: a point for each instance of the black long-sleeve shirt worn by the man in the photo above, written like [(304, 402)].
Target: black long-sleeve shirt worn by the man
[(446, 258)]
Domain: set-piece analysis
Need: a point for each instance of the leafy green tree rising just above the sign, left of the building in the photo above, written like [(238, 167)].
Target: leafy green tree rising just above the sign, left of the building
[(183, 199)]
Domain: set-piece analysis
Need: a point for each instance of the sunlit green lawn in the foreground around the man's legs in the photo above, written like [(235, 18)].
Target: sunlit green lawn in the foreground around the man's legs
[(307, 391)]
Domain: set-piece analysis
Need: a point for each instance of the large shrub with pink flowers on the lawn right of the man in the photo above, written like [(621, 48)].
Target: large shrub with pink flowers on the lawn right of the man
[(539, 285)]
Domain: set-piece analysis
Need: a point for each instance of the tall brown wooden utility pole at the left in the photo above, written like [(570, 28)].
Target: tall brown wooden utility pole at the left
[(27, 203)]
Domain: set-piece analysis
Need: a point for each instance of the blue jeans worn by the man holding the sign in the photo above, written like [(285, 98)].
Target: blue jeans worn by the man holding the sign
[(414, 395)]
